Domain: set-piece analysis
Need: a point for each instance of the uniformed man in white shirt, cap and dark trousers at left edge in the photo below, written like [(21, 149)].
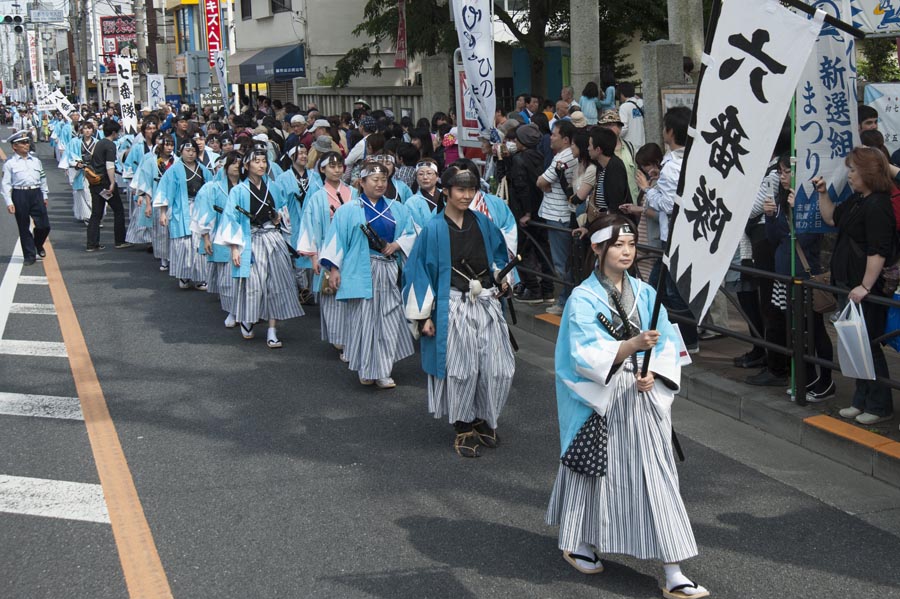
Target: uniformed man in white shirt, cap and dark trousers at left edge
[(24, 189)]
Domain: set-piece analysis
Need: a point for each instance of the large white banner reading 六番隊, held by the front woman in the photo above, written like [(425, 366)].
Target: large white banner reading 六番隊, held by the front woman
[(757, 53)]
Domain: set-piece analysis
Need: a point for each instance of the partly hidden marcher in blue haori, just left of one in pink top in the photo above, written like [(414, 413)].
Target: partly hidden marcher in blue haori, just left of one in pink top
[(298, 185)]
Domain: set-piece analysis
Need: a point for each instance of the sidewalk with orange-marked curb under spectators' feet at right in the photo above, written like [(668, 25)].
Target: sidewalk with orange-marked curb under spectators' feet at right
[(713, 381)]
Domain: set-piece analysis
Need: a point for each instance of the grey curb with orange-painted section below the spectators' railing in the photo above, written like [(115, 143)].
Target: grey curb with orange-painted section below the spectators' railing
[(862, 450)]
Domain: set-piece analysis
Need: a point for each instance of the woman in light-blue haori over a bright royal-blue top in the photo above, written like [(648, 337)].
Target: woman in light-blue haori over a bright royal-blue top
[(368, 238)]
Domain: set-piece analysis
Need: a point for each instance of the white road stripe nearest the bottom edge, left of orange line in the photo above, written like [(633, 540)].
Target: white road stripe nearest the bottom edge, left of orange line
[(52, 499)]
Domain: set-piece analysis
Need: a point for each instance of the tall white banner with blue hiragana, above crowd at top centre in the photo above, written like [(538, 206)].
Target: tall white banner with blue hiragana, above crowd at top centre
[(476, 43)]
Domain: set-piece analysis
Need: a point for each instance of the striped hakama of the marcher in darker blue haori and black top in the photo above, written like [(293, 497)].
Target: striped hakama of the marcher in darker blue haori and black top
[(480, 361)]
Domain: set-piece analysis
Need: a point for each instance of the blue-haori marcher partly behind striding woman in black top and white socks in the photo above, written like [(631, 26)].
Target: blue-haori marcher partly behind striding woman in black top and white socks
[(209, 206)]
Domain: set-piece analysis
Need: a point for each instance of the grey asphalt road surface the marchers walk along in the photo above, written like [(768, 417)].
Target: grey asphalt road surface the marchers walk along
[(268, 473)]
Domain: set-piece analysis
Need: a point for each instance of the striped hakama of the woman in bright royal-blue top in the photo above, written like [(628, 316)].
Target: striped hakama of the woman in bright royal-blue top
[(379, 336)]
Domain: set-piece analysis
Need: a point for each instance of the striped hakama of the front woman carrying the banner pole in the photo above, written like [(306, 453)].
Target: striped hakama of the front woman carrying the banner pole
[(636, 509)]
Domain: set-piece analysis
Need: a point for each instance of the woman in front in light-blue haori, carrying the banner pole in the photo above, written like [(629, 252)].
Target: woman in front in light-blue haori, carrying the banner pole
[(630, 502)]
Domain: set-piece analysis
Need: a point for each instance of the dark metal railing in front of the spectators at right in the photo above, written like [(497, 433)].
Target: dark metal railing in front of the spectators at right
[(800, 333)]
